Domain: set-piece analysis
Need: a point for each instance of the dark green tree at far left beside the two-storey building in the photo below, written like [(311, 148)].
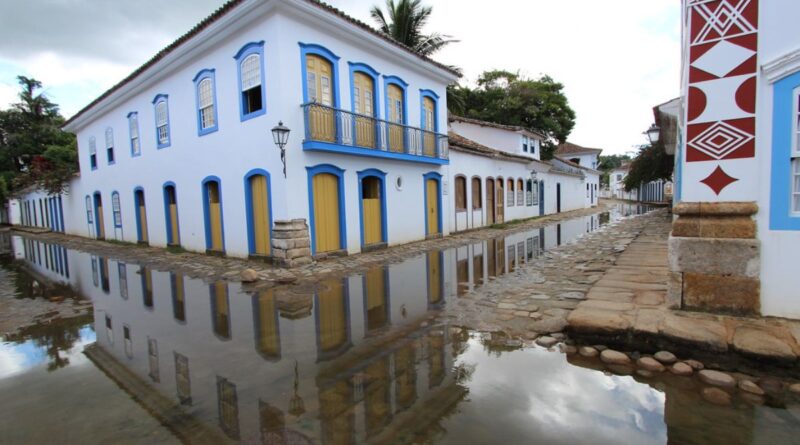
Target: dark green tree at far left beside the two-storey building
[(33, 148)]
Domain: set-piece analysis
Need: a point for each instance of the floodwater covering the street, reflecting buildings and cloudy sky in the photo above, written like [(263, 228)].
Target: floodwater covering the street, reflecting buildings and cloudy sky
[(168, 359)]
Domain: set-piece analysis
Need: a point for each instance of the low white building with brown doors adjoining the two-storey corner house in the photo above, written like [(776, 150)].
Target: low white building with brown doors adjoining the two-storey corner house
[(497, 176)]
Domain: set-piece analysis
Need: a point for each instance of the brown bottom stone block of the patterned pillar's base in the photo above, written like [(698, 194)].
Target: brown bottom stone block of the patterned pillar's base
[(720, 293)]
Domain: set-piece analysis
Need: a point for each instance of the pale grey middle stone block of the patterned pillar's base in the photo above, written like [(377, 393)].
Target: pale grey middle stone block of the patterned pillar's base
[(712, 256)]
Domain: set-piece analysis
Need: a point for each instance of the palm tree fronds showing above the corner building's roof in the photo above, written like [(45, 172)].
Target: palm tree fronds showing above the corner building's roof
[(406, 18)]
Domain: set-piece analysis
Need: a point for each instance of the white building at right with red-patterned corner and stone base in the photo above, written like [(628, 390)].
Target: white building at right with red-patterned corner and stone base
[(737, 159)]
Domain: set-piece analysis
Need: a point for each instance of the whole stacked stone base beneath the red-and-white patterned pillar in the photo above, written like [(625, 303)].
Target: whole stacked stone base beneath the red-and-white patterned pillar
[(714, 258)]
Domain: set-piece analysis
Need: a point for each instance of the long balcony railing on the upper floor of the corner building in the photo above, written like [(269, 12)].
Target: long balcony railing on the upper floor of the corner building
[(334, 126)]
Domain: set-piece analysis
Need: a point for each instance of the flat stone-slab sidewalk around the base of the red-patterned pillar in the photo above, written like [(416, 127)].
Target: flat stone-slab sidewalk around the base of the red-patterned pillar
[(630, 303)]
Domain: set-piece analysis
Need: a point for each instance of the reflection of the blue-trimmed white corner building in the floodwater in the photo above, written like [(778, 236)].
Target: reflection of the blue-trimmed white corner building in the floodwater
[(358, 351)]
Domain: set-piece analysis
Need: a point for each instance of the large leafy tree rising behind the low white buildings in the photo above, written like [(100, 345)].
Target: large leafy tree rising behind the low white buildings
[(512, 99)]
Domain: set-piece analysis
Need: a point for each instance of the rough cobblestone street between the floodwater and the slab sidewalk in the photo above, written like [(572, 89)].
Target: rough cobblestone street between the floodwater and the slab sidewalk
[(538, 296)]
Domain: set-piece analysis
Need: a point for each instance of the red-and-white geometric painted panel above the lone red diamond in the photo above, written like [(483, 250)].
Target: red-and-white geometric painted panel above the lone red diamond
[(723, 64)]
